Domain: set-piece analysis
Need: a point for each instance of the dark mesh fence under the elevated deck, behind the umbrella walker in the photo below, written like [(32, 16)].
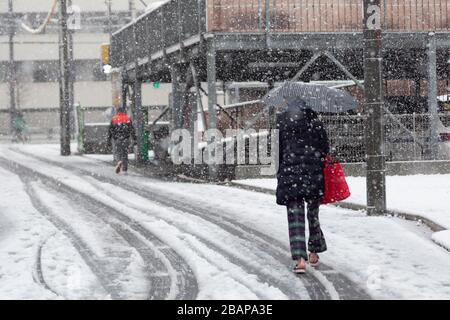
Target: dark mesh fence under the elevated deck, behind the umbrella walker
[(406, 135)]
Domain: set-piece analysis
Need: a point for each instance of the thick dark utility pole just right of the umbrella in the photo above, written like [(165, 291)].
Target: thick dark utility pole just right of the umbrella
[(374, 108)]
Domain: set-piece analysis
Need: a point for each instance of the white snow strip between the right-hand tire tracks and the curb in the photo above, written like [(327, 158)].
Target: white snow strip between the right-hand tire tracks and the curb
[(381, 253)]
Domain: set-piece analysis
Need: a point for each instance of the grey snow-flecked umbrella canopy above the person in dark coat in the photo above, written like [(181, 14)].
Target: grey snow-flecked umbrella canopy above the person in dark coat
[(317, 97)]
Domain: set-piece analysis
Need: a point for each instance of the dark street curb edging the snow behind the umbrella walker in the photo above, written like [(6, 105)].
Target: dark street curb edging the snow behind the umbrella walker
[(435, 227)]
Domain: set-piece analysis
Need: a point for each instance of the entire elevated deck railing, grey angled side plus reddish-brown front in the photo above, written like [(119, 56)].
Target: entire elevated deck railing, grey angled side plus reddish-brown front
[(179, 20)]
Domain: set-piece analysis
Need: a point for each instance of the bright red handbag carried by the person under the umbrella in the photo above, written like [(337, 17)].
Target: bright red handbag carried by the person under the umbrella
[(335, 186)]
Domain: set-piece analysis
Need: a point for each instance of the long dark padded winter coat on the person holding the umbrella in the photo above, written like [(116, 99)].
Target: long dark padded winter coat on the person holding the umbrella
[(302, 148)]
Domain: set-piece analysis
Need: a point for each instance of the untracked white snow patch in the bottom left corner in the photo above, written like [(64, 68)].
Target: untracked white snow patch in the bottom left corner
[(23, 231)]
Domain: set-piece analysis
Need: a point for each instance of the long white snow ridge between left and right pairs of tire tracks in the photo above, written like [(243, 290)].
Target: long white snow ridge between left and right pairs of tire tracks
[(218, 277)]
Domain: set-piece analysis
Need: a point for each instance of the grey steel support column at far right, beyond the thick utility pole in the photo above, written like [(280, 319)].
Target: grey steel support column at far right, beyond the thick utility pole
[(432, 98)]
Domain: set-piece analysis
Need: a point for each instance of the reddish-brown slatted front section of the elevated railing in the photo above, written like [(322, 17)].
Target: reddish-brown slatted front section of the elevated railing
[(324, 15)]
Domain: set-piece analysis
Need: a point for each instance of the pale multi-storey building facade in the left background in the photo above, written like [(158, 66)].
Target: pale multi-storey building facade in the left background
[(36, 59)]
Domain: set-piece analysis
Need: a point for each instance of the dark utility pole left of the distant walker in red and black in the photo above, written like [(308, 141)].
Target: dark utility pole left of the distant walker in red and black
[(64, 81)]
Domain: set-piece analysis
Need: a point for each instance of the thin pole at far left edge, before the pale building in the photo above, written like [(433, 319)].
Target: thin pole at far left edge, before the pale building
[(12, 79)]
